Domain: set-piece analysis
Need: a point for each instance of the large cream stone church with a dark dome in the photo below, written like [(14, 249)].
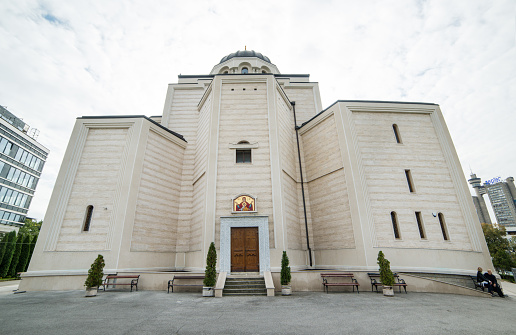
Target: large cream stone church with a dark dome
[(246, 157)]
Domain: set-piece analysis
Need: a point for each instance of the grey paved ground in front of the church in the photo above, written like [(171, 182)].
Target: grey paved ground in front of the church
[(154, 312)]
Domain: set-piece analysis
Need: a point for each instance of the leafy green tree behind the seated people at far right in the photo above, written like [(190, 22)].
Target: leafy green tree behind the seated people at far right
[(500, 248)]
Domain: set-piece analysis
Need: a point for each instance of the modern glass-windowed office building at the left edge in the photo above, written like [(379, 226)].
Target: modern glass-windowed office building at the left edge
[(21, 161)]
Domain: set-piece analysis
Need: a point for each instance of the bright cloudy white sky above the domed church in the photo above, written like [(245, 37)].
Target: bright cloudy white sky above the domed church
[(60, 60)]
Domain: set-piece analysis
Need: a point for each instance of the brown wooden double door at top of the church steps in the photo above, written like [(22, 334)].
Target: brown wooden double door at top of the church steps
[(245, 249)]
